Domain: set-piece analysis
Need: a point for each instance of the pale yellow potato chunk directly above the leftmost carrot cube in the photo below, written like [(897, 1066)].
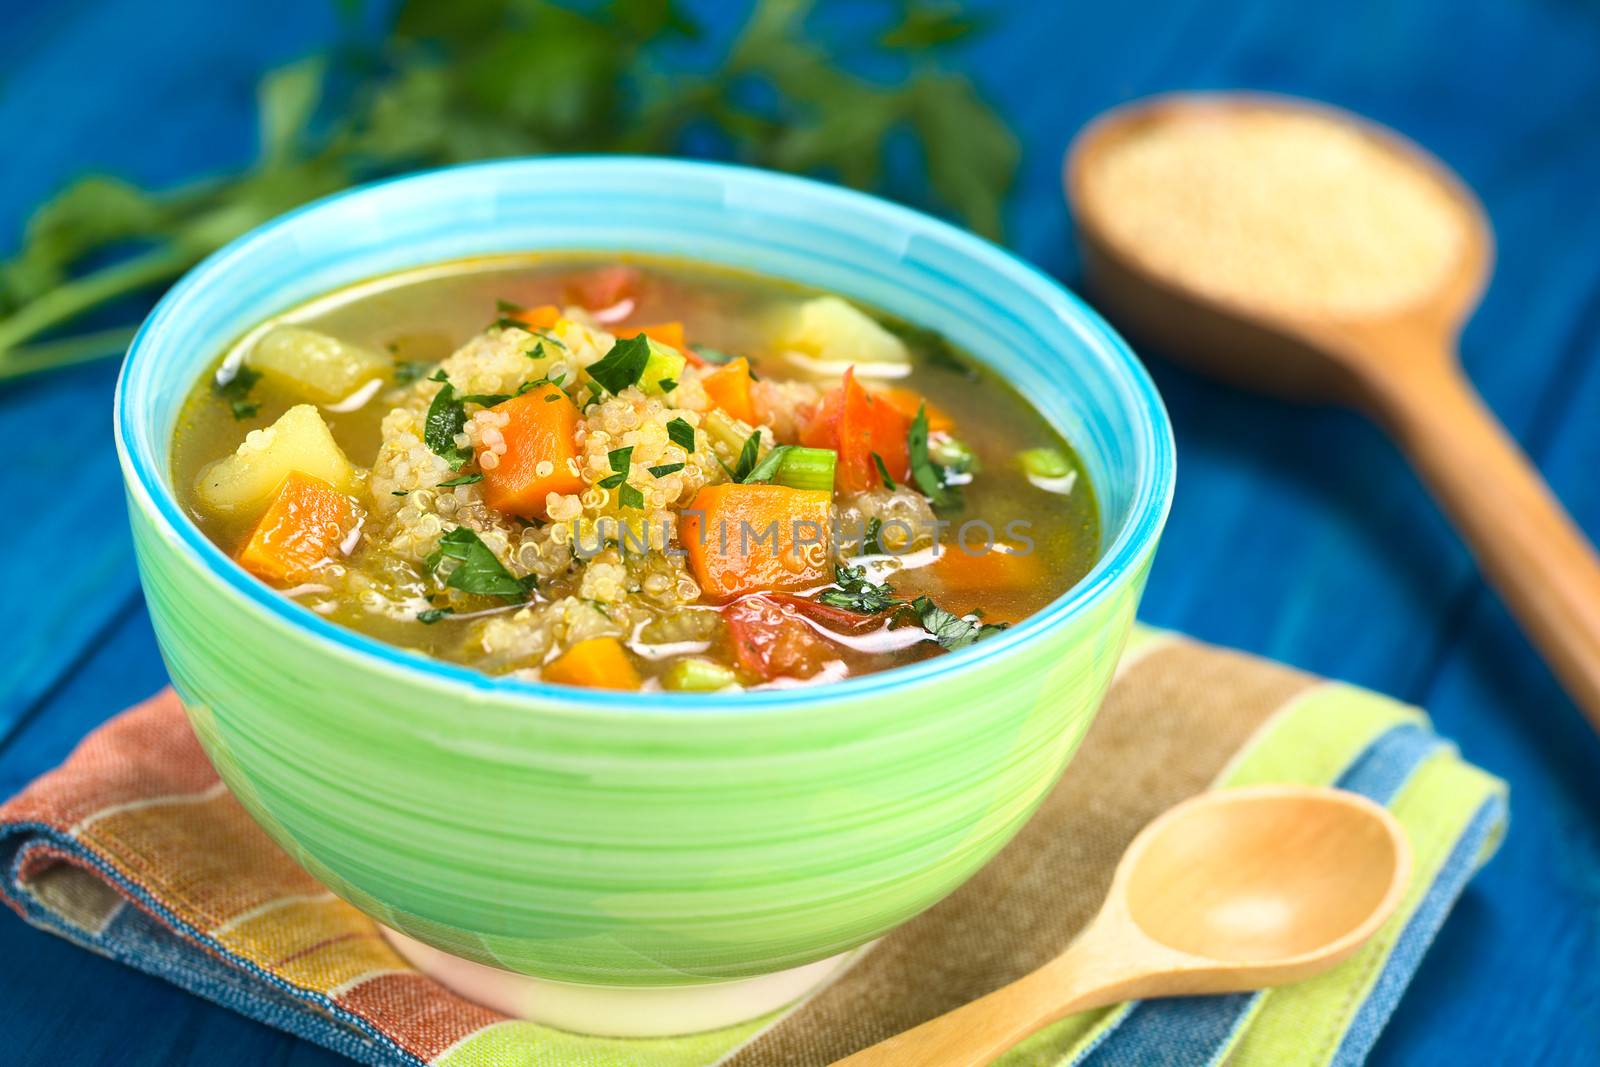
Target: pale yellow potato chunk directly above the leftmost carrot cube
[(247, 481)]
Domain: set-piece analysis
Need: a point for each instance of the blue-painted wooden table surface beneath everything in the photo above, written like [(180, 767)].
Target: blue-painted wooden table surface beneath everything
[(1297, 533)]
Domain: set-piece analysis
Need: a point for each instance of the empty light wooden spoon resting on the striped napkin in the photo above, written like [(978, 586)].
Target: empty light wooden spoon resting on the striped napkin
[(1228, 892)]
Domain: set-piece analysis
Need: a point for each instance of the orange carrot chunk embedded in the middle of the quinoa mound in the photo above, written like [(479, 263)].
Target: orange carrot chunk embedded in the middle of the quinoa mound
[(543, 430)]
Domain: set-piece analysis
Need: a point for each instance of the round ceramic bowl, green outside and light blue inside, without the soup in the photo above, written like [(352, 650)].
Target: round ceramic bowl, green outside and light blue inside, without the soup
[(620, 839)]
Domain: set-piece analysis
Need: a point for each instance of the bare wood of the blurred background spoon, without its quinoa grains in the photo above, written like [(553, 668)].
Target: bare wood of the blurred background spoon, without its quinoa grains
[(1399, 364)]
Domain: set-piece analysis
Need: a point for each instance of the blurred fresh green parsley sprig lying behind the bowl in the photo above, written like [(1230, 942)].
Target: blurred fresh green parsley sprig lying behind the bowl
[(450, 82)]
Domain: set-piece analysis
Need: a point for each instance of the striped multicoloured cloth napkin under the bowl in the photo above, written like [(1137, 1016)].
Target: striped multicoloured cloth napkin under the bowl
[(137, 817)]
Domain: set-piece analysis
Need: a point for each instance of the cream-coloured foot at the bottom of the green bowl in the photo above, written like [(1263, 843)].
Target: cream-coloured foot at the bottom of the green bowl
[(620, 1010)]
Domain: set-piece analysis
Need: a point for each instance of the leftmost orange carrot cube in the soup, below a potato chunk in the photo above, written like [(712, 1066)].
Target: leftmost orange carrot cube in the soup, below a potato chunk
[(305, 527)]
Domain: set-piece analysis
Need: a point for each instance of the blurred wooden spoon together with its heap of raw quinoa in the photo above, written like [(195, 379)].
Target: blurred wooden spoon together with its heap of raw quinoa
[(1298, 249)]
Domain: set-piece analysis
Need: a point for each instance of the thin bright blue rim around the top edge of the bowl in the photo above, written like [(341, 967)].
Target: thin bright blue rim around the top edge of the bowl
[(1156, 470)]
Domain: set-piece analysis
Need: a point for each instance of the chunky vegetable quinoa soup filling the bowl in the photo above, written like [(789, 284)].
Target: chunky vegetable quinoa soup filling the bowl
[(633, 474)]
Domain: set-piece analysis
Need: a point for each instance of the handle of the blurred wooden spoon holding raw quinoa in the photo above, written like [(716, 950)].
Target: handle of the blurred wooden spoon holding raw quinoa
[(1524, 540)]
